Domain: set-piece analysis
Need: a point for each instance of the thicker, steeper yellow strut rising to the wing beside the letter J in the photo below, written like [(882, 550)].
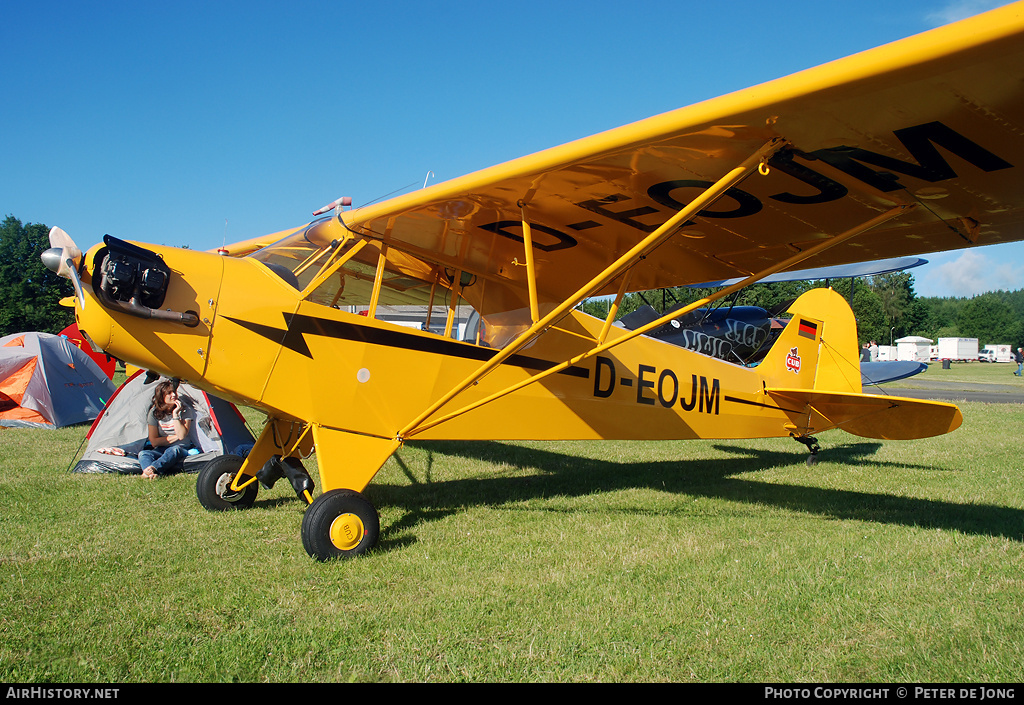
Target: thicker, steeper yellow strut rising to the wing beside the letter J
[(703, 201)]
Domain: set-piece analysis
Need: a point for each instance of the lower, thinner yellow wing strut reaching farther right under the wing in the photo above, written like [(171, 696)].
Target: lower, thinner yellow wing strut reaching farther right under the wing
[(603, 347)]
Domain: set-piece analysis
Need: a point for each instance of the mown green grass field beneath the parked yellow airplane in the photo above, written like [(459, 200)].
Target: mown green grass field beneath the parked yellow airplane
[(537, 562)]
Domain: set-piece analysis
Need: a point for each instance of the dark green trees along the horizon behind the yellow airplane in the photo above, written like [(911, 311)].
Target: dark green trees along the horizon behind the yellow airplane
[(886, 306)]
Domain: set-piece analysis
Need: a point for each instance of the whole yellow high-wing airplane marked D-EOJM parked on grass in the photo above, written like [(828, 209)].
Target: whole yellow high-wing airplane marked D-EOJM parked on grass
[(912, 148)]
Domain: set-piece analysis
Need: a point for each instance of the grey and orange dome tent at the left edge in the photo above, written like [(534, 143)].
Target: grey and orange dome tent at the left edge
[(49, 383)]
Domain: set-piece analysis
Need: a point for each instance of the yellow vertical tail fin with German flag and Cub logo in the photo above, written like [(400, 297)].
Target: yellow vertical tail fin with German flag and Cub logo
[(819, 348)]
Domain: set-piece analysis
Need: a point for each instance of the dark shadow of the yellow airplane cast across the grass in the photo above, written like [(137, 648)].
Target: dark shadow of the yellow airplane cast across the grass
[(568, 476)]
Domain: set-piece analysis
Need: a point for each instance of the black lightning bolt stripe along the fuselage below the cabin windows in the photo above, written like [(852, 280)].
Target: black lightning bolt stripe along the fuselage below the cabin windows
[(293, 338)]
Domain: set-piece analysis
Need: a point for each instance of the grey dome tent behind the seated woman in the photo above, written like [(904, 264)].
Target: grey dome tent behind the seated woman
[(220, 429)]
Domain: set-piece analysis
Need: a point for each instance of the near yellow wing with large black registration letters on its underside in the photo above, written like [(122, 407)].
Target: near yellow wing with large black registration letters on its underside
[(935, 121)]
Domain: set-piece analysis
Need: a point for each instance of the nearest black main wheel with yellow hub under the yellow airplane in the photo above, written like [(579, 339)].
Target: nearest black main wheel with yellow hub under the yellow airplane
[(340, 524)]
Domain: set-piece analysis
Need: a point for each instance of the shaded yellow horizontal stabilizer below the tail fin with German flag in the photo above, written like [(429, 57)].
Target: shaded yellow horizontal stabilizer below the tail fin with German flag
[(871, 417)]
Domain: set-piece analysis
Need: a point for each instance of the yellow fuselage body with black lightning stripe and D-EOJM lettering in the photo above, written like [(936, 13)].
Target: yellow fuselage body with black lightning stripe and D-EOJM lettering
[(261, 345)]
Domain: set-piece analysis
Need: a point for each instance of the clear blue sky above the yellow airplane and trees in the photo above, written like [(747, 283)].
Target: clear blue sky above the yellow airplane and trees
[(196, 123)]
